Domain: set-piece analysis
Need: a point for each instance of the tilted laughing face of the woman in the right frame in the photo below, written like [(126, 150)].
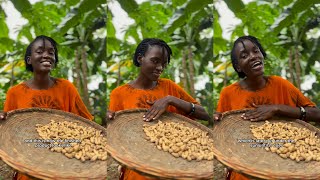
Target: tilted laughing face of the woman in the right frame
[(250, 59)]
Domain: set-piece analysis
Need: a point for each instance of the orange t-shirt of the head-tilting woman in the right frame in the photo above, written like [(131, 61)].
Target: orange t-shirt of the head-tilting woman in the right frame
[(276, 91)]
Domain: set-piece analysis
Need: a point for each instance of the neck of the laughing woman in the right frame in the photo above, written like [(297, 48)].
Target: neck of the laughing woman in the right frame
[(254, 83)]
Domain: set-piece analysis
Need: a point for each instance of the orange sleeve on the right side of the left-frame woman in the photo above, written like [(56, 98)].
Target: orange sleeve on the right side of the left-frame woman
[(76, 104)]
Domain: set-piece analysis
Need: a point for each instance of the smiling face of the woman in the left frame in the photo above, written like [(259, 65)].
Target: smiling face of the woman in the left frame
[(42, 56)]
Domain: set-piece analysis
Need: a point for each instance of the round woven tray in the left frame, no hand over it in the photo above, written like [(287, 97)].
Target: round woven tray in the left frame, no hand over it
[(41, 162)]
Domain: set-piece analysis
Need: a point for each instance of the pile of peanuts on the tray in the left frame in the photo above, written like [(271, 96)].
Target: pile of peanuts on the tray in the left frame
[(90, 143)]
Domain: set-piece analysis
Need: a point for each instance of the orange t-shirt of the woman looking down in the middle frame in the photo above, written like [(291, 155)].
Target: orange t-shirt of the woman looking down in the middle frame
[(126, 97)]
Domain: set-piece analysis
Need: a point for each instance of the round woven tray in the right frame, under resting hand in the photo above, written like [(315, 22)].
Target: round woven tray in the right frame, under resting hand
[(257, 161)]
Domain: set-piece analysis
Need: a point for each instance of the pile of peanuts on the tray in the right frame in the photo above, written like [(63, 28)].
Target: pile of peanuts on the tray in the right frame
[(304, 145)]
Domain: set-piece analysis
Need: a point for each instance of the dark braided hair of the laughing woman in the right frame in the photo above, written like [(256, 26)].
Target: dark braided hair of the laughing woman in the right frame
[(234, 59)]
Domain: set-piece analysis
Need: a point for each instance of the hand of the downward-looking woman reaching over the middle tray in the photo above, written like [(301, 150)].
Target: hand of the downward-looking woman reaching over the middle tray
[(157, 108)]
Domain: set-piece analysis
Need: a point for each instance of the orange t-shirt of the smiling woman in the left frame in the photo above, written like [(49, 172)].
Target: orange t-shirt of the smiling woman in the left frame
[(61, 96)]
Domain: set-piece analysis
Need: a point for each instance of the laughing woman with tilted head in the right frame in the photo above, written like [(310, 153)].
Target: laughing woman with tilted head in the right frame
[(267, 95)]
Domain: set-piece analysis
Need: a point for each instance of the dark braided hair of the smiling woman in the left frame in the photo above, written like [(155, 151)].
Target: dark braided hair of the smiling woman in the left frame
[(28, 51)]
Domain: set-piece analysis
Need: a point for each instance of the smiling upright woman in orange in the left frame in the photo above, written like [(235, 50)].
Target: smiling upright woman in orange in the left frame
[(43, 90)]
